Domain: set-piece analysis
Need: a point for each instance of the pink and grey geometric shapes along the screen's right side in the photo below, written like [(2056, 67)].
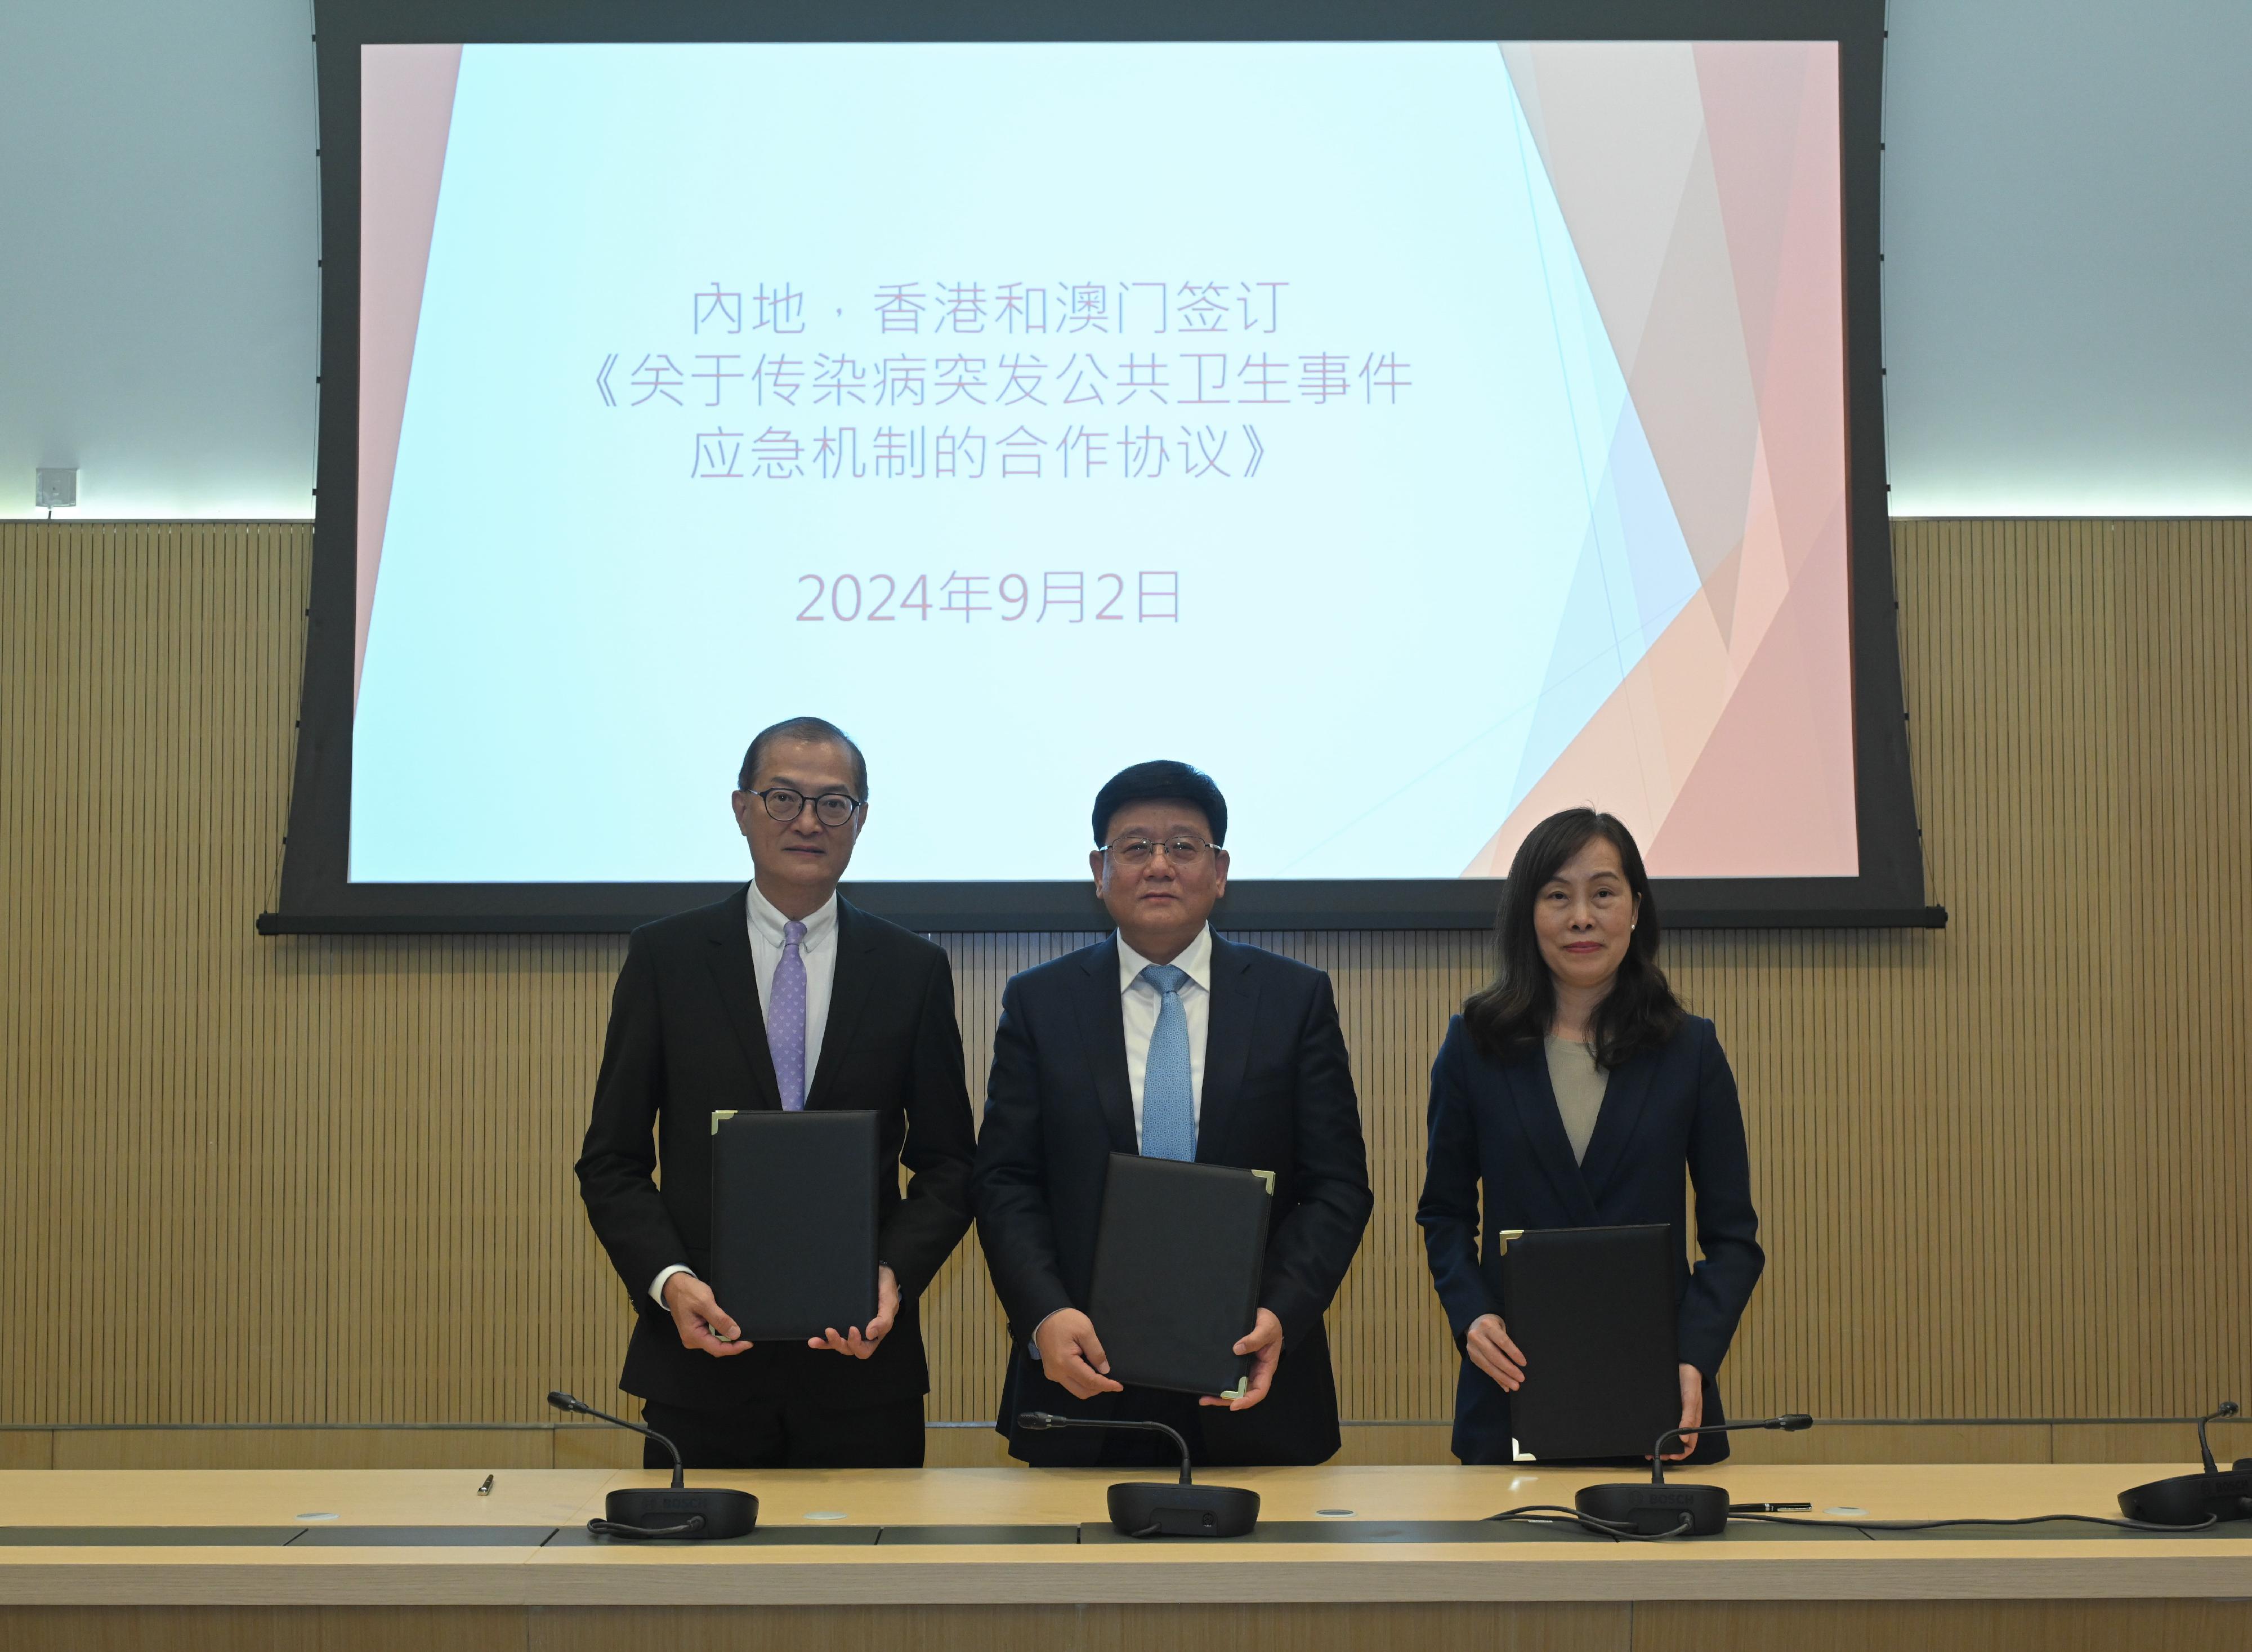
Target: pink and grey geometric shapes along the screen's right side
[(1704, 197)]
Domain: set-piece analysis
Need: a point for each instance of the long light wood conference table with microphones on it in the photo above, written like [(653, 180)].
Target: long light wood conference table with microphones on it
[(933, 1561)]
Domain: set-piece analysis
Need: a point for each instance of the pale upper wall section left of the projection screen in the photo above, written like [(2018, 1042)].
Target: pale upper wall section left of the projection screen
[(159, 240)]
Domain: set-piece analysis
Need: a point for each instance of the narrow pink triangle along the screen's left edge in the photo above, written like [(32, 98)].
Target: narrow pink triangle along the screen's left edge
[(406, 114)]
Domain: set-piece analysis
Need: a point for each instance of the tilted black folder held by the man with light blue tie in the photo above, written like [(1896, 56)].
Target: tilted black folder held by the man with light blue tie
[(1177, 1273)]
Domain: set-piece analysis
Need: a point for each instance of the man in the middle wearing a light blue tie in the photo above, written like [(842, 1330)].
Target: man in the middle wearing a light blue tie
[(1172, 1043)]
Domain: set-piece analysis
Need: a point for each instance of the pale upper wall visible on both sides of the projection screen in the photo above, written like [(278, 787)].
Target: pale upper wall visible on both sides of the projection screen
[(2068, 228)]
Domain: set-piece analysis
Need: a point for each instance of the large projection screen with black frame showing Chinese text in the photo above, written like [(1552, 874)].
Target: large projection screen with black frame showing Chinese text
[(1418, 431)]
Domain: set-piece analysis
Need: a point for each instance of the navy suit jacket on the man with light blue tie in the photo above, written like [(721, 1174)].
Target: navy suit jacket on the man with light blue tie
[(1278, 1097)]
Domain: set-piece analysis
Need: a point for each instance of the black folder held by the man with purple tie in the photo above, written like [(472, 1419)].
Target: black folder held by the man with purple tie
[(794, 1221)]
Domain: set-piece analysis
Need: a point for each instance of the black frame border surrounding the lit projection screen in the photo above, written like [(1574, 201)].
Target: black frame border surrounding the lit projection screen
[(316, 890)]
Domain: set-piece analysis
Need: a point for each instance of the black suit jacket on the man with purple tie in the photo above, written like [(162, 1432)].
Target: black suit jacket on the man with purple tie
[(688, 1039)]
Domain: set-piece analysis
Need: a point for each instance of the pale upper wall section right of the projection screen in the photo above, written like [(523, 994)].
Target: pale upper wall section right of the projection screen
[(2068, 258)]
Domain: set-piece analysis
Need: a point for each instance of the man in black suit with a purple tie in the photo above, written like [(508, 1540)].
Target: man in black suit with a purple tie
[(783, 996)]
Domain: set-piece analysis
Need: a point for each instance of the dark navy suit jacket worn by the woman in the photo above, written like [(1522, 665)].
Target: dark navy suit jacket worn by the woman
[(1496, 1124)]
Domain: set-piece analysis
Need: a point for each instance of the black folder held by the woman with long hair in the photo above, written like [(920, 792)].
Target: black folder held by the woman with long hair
[(1593, 1313)]
